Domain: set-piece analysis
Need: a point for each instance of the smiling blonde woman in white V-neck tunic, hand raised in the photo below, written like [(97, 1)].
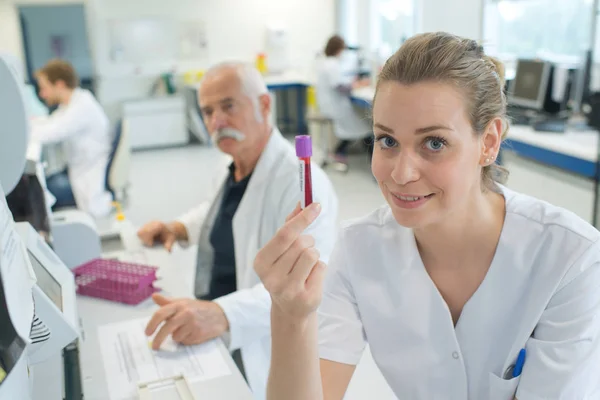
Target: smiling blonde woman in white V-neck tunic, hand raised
[(463, 288)]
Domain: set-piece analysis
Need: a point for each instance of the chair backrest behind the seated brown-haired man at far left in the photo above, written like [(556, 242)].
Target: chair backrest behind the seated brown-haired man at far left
[(117, 170)]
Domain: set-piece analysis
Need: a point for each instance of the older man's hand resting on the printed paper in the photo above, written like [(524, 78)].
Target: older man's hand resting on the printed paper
[(188, 321)]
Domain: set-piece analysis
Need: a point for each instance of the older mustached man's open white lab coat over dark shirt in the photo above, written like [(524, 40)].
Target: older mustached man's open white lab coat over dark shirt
[(271, 195)]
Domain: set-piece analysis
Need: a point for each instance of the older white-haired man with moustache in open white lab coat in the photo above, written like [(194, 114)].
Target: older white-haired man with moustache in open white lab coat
[(256, 187)]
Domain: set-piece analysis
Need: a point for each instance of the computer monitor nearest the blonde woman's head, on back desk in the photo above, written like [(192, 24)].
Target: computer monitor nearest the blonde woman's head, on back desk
[(530, 85)]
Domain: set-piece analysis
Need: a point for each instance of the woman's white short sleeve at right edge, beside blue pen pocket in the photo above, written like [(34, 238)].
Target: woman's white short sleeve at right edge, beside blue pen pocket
[(563, 354)]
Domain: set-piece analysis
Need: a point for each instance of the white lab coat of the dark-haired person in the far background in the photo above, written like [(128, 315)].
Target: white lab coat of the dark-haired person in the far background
[(347, 123)]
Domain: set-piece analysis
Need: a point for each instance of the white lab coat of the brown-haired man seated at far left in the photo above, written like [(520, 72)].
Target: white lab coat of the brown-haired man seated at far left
[(83, 127)]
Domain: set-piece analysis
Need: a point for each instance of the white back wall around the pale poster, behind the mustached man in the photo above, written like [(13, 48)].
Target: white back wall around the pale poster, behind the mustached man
[(235, 30)]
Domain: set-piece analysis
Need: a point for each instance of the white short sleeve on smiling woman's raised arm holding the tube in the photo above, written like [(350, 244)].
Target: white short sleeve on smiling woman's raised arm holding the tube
[(341, 334)]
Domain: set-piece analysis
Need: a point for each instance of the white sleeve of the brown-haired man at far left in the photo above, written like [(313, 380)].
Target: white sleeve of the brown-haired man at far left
[(60, 125)]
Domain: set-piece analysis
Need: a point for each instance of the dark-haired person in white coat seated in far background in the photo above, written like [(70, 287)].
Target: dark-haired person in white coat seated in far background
[(333, 96)]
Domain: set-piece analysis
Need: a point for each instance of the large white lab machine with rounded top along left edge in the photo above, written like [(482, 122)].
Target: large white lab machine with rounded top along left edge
[(53, 326)]
